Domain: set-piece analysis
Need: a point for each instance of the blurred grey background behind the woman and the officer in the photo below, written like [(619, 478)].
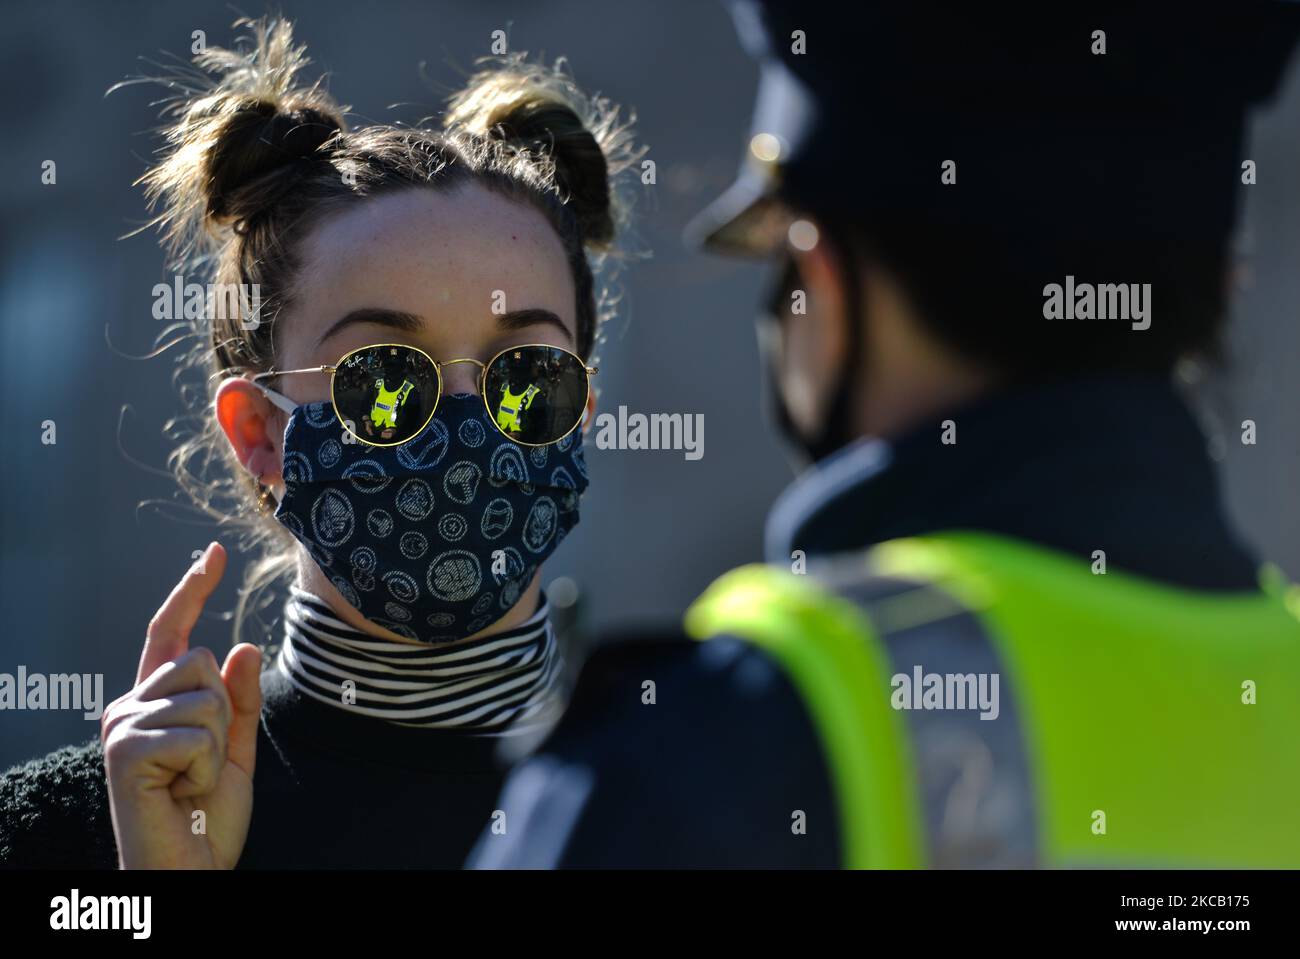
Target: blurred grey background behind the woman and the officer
[(84, 566)]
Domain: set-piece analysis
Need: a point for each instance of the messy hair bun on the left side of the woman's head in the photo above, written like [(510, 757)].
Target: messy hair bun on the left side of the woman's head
[(242, 132)]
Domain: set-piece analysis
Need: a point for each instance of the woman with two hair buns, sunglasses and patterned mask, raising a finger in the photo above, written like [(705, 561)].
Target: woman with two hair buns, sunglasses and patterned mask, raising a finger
[(402, 423)]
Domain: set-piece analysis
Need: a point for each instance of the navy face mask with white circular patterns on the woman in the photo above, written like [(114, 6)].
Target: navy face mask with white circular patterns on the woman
[(436, 539)]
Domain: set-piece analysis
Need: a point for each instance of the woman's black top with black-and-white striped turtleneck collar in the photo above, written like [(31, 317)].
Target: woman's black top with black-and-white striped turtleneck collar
[(371, 754)]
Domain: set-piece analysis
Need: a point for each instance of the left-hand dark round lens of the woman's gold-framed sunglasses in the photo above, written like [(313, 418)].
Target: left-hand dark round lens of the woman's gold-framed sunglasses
[(385, 394)]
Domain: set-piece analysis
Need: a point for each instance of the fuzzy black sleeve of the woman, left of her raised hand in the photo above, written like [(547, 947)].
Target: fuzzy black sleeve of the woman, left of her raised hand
[(54, 813)]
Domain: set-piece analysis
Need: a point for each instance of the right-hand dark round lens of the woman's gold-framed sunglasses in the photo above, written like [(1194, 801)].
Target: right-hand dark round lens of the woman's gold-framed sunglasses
[(536, 394)]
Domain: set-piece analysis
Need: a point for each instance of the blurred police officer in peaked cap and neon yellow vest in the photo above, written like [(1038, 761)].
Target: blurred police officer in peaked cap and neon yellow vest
[(1004, 619)]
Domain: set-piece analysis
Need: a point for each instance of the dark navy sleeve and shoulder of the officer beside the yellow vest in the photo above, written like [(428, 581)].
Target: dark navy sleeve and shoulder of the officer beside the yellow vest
[(723, 769)]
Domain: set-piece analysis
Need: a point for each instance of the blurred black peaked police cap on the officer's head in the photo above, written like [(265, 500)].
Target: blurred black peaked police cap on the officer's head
[(1093, 119)]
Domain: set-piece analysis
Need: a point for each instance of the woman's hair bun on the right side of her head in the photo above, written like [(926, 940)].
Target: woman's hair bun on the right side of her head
[(579, 138)]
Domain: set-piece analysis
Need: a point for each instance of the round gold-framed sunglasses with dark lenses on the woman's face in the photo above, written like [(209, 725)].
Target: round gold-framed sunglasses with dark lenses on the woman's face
[(388, 393)]
